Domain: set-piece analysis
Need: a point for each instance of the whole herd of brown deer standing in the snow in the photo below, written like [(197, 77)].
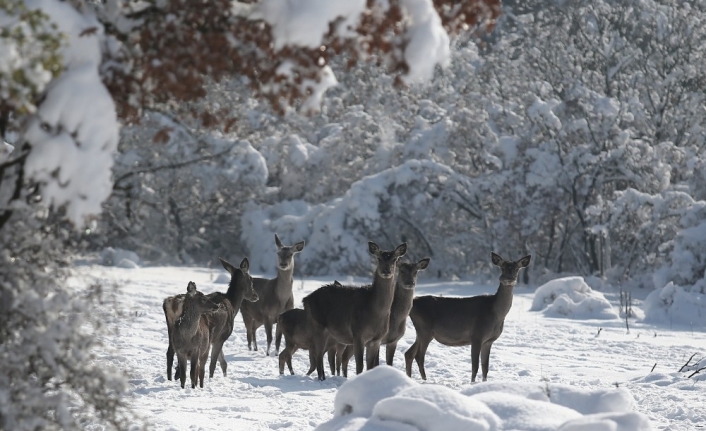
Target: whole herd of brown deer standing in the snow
[(337, 320)]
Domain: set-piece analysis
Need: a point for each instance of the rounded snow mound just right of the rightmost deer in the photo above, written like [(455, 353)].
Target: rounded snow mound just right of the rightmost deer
[(571, 297)]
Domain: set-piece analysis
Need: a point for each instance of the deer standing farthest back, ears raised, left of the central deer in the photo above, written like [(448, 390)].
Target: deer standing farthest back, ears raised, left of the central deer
[(275, 296)]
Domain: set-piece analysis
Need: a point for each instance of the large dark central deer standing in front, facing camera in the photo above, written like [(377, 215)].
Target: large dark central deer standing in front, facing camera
[(358, 316)]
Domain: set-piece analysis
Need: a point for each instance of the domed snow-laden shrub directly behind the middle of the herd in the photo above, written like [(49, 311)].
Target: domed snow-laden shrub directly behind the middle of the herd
[(409, 201)]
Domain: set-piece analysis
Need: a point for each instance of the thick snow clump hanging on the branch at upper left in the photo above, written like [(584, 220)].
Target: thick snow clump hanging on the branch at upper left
[(75, 129)]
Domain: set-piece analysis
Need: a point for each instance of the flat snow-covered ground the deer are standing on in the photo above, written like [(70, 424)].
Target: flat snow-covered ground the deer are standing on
[(574, 356)]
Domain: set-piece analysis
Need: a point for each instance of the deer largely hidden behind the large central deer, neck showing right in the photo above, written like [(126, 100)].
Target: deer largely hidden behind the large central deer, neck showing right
[(401, 305)]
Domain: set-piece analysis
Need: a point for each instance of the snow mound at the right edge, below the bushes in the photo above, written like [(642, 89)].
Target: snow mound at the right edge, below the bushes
[(673, 304)]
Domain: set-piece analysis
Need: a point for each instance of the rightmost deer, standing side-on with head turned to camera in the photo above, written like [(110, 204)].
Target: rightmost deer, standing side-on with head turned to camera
[(476, 320)]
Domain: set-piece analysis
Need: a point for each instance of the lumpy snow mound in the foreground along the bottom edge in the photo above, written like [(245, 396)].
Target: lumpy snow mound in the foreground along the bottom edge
[(385, 399)]
